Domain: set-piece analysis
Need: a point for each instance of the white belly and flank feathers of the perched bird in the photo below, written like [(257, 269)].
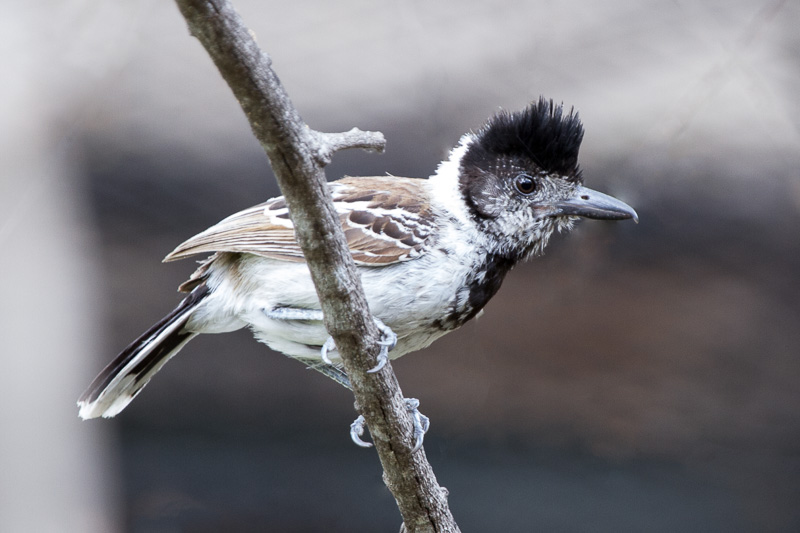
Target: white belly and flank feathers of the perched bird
[(407, 298)]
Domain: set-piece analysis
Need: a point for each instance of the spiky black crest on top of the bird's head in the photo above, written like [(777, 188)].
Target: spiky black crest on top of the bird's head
[(541, 133)]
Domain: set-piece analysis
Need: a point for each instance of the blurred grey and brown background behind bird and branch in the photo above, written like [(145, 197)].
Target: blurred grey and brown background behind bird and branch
[(635, 378)]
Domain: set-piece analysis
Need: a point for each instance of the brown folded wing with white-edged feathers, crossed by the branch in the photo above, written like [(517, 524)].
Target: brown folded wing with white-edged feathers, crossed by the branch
[(385, 220)]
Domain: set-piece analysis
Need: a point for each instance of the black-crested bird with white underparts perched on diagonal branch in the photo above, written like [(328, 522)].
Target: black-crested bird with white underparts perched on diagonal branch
[(430, 252)]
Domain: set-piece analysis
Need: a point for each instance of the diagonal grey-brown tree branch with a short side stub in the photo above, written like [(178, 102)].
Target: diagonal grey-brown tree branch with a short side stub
[(298, 155)]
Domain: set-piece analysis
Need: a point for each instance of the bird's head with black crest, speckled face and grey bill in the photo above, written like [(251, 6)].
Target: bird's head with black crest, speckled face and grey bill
[(520, 180)]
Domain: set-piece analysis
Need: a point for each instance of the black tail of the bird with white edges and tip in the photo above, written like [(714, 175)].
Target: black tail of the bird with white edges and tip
[(119, 382)]
